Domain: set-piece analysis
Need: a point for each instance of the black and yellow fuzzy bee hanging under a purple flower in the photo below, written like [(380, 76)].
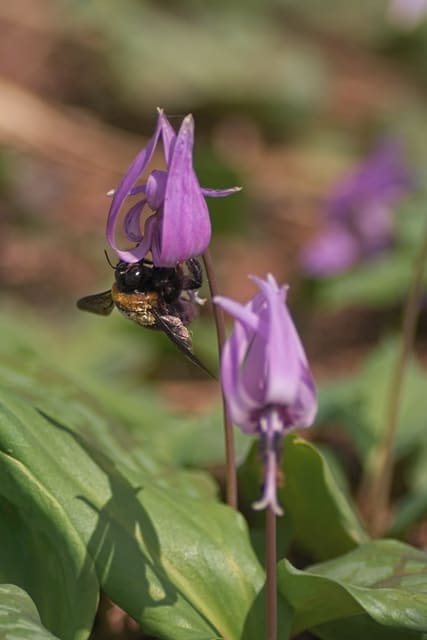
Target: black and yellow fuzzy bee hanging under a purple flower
[(159, 298)]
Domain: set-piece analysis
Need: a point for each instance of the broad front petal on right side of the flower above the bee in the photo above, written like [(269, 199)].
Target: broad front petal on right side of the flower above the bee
[(185, 226)]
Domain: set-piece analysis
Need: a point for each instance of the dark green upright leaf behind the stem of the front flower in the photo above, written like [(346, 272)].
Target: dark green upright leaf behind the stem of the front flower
[(312, 498)]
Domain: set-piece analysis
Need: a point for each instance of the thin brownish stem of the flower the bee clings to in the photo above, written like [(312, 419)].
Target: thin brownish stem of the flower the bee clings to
[(231, 477)]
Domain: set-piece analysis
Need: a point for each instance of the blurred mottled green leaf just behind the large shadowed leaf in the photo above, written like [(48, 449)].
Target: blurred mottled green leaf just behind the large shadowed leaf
[(135, 446)]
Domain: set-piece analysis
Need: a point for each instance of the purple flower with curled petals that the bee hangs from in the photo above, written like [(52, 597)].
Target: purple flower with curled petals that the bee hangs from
[(179, 228)]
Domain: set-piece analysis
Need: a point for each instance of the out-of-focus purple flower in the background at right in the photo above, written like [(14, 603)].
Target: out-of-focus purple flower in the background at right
[(359, 221)]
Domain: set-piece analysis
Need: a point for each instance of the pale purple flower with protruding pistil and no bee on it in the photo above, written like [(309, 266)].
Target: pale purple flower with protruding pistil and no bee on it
[(265, 376)]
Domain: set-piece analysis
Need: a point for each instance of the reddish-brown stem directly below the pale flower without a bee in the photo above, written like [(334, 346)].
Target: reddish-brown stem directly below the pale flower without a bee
[(270, 565)]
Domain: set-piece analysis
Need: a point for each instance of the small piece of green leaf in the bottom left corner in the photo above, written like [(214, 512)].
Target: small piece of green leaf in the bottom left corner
[(19, 618)]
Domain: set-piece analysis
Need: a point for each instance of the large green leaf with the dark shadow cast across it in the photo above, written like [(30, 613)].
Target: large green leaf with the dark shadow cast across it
[(182, 567)]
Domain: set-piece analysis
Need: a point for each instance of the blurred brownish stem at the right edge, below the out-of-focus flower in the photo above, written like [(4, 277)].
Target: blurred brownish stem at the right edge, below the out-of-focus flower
[(377, 484)]
